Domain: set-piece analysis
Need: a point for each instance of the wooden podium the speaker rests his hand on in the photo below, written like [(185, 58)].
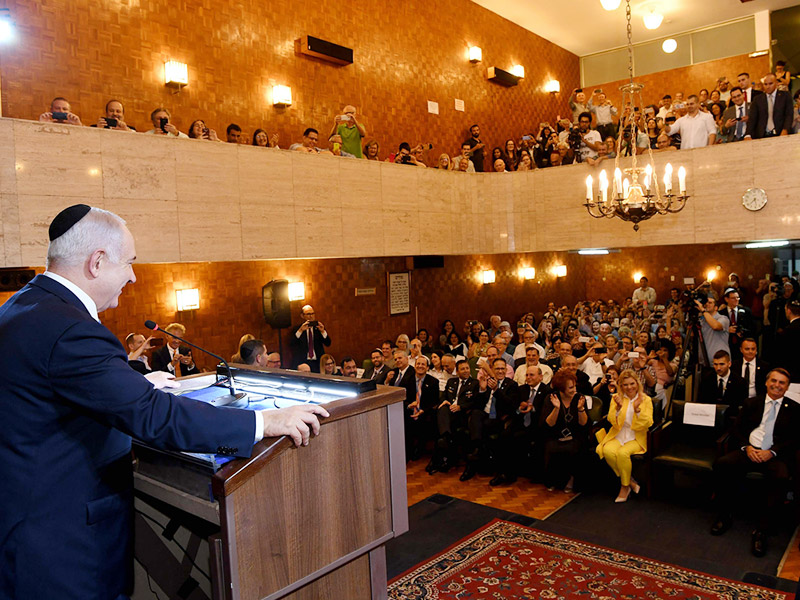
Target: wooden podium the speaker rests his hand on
[(303, 523)]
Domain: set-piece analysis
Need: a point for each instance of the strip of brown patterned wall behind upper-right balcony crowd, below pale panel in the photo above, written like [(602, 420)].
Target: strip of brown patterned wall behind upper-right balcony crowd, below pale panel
[(691, 79)]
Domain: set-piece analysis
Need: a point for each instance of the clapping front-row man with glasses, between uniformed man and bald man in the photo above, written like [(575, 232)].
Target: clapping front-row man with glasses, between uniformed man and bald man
[(498, 395)]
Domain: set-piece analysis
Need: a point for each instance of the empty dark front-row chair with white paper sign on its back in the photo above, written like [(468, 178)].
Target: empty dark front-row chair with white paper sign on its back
[(677, 445)]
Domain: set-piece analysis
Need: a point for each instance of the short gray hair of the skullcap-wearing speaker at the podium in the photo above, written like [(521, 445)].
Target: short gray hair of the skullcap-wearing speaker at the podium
[(98, 230)]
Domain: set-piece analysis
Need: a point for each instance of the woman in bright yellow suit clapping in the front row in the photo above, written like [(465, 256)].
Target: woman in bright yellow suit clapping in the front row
[(630, 415)]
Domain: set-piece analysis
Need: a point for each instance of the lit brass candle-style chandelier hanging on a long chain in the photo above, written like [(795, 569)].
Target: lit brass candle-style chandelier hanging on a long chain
[(629, 199)]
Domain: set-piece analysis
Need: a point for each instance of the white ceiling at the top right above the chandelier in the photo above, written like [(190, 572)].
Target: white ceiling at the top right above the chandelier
[(584, 27)]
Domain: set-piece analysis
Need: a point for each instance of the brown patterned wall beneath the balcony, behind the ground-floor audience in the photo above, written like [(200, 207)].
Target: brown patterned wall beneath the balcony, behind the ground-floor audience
[(231, 291)]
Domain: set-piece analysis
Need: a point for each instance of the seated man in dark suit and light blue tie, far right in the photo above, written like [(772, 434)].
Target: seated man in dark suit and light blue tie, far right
[(765, 440)]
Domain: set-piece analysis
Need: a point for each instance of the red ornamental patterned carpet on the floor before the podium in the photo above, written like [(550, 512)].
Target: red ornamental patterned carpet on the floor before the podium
[(507, 561)]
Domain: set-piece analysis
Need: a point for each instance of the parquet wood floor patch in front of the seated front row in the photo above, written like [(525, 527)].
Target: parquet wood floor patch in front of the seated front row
[(522, 497)]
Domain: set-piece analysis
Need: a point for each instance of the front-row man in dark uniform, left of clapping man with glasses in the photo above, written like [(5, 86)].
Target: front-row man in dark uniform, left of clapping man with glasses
[(460, 394)]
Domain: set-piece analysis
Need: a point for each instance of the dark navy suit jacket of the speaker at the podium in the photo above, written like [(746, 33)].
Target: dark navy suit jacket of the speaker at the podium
[(69, 404)]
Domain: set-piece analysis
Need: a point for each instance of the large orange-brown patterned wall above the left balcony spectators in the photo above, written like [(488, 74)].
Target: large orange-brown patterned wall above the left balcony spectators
[(406, 53)]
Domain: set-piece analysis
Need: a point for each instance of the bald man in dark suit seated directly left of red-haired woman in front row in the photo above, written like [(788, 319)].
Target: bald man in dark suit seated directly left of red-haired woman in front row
[(520, 431)]
